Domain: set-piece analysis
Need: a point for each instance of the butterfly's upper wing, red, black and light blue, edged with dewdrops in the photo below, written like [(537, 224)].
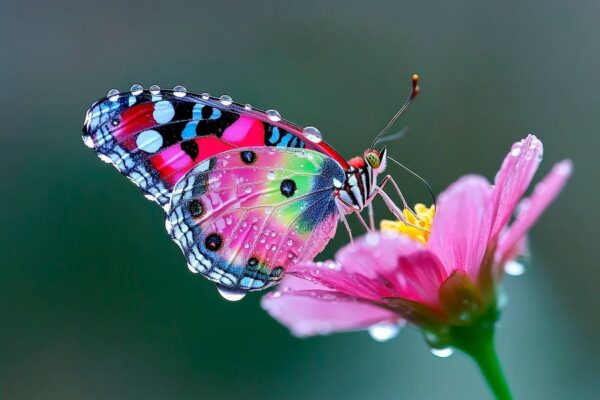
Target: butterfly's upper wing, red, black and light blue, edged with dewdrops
[(154, 137)]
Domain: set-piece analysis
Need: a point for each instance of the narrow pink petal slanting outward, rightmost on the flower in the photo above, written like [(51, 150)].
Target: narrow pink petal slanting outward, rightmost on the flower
[(545, 192)]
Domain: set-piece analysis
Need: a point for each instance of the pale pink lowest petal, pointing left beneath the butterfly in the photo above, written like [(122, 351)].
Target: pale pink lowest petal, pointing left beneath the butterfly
[(307, 308)]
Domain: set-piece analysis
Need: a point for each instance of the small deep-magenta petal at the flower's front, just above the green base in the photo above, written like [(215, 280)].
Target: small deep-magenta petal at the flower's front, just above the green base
[(423, 276)]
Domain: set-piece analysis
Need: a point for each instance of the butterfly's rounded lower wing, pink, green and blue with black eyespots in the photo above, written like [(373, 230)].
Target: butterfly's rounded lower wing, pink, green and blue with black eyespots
[(243, 216)]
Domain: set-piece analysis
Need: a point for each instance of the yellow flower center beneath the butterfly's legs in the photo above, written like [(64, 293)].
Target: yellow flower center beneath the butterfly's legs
[(416, 225)]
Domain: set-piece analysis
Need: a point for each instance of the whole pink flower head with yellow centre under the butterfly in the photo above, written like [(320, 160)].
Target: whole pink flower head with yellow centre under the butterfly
[(445, 278)]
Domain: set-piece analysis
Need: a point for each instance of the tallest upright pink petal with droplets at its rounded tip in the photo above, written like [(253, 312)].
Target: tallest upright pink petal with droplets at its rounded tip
[(512, 180)]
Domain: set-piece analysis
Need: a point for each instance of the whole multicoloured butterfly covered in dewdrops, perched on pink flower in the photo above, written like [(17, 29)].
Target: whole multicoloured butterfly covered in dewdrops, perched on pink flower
[(246, 193)]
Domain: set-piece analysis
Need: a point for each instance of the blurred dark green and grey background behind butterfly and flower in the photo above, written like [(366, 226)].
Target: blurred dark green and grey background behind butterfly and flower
[(95, 299)]
